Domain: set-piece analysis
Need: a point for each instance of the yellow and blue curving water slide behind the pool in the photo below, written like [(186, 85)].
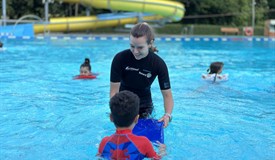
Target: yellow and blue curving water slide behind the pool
[(151, 10)]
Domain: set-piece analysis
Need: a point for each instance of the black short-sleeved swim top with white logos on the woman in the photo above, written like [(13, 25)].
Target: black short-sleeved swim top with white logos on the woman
[(138, 75)]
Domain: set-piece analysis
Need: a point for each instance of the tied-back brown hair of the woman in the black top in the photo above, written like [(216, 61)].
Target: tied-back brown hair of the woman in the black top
[(144, 29)]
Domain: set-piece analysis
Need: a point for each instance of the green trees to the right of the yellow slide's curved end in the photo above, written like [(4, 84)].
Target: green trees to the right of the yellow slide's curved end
[(226, 12)]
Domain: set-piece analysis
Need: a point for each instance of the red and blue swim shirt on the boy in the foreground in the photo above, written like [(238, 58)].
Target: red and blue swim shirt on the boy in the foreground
[(124, 145)]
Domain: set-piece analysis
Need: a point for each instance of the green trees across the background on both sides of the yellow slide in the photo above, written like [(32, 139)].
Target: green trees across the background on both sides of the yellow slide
[(220, 12)]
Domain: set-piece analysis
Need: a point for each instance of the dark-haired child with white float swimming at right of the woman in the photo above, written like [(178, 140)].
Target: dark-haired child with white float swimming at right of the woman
[(214, 72)]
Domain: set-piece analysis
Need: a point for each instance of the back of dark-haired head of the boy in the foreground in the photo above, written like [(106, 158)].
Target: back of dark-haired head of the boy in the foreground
[(124, 108)]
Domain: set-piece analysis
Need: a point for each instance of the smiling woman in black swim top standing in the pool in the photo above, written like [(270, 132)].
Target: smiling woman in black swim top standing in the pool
[(135, 69)]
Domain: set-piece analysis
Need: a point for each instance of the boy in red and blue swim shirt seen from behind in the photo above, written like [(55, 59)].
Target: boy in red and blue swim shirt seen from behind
[(123, 144)]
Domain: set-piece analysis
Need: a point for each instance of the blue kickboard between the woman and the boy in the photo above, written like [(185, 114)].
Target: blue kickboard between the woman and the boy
[(150, 128)]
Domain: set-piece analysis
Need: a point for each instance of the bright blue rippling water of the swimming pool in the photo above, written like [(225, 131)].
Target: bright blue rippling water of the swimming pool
[(47, 115)]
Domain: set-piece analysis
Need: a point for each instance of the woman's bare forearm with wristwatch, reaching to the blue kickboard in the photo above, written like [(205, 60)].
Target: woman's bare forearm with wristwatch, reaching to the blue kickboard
[(168, 106)]
